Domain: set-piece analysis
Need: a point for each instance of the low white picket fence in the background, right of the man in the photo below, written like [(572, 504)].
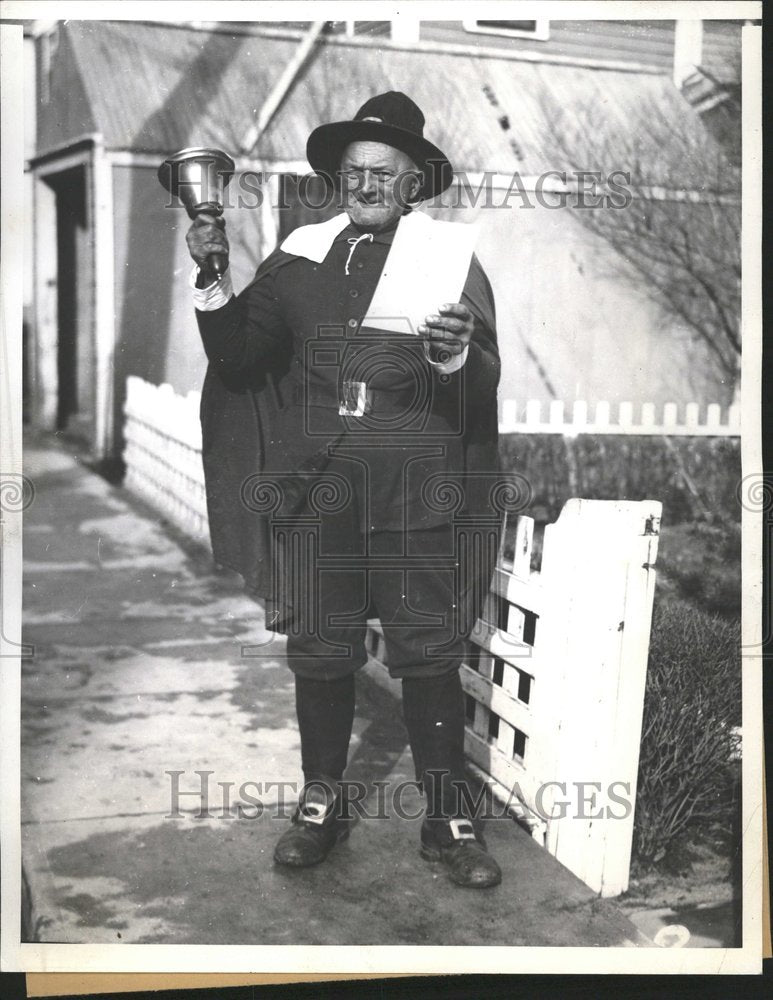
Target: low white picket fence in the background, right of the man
[(690, 420)]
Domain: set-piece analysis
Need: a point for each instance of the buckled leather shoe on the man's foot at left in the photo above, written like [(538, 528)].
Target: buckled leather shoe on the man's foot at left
[(315, 829)]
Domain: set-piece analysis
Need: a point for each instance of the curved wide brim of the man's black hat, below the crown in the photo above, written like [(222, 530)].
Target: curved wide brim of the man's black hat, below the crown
[(327, 143)]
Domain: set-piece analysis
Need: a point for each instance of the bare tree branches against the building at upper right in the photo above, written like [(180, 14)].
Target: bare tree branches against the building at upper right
[(685, 251)]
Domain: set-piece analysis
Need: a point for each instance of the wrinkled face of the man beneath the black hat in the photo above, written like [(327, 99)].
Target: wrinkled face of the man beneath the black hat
[(377, 183)]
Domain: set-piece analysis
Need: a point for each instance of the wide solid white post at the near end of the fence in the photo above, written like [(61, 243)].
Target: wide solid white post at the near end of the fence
[(592, 644)]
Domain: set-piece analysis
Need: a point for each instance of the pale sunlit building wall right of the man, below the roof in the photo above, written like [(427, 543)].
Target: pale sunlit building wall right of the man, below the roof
[(563, 308)]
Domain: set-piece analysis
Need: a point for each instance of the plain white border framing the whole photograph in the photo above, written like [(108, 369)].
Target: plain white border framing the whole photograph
[(337, 959)]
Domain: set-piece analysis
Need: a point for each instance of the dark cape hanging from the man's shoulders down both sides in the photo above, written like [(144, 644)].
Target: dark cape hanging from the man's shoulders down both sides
[(247, 401)]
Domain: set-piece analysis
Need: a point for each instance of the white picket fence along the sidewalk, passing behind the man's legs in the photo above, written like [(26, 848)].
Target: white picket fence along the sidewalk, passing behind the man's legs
[(555, 687)]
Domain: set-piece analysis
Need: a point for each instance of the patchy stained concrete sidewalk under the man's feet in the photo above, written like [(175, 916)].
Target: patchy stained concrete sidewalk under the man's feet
[(138, 670)]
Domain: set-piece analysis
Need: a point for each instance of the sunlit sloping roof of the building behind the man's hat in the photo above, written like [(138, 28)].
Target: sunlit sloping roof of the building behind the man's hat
[(160, 87)]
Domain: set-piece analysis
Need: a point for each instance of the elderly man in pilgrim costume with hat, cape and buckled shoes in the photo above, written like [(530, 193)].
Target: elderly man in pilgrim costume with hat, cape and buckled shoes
[(306, 390)]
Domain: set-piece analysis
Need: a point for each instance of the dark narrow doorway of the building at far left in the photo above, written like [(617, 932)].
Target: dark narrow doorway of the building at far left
[(75, 305)]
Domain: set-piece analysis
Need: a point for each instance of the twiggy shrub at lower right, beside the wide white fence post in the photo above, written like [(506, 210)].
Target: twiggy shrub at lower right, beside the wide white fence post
[(692, 704)]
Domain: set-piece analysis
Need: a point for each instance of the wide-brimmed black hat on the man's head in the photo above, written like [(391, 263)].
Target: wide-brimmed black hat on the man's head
[(393, 119)]
